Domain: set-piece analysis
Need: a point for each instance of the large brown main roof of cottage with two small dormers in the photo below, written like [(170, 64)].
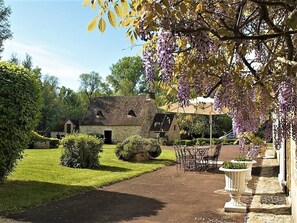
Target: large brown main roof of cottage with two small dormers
[(118, 111)]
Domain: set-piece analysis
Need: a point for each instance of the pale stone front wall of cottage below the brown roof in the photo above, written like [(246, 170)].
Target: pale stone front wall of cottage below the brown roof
[(119, 133)]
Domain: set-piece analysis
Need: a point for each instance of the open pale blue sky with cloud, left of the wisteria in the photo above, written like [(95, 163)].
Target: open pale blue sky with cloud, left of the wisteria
[(54, 33)]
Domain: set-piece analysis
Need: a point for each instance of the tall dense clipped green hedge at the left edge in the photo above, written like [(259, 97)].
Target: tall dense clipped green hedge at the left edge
[(20, 103)]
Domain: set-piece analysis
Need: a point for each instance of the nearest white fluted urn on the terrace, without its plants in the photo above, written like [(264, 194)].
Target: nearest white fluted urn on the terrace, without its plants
[(235, 186)]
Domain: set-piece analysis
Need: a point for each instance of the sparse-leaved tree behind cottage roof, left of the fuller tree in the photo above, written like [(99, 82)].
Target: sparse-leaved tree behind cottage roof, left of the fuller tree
[(91, 85)]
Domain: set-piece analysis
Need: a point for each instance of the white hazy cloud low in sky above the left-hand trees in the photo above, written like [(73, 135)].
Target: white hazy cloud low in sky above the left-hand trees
[(50, 61)]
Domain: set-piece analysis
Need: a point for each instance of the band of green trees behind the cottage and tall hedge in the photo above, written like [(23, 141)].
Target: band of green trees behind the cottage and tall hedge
[(126, 78)]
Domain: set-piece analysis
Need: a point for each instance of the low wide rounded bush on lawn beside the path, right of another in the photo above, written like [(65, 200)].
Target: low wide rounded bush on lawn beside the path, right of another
[(136, 148)]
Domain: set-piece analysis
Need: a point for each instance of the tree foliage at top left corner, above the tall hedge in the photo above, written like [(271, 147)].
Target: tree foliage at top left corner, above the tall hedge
[(5, 32)]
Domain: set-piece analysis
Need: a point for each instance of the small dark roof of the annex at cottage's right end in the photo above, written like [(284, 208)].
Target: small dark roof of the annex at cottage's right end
[(162, 122)]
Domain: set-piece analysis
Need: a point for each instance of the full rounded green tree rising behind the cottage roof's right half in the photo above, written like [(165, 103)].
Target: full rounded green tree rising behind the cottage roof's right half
[(128, 76)]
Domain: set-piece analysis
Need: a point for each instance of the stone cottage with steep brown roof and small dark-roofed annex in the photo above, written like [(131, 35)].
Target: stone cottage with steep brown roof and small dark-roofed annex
[(118, 117)]
